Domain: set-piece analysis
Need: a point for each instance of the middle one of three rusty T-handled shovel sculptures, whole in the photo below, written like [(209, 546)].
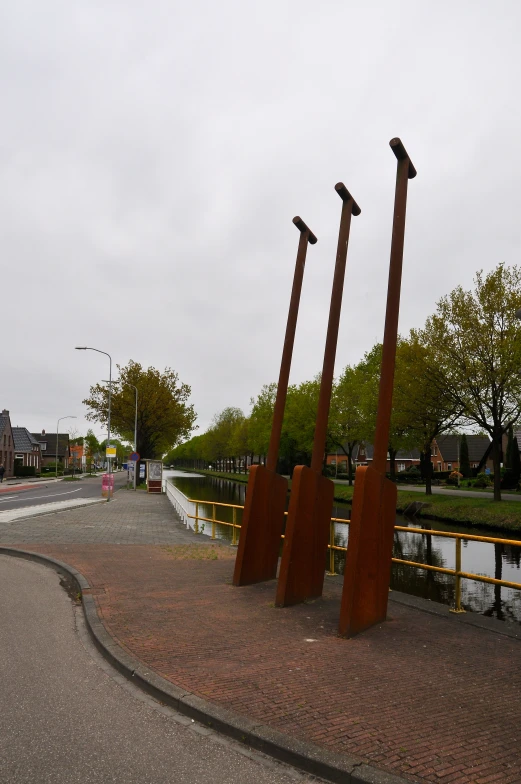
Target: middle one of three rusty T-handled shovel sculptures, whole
[(305, 544)]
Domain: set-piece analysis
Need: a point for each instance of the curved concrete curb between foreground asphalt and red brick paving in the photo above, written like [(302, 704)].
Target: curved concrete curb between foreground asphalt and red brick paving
[(306, 757)]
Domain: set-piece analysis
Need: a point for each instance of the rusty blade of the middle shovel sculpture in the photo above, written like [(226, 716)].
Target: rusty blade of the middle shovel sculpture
[(303, 562)]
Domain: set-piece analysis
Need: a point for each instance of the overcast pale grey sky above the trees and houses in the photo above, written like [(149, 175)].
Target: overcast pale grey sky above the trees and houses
[(154, 154)]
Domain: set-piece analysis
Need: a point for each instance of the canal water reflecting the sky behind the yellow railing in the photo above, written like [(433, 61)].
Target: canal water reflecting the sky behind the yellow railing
[(492, 560)]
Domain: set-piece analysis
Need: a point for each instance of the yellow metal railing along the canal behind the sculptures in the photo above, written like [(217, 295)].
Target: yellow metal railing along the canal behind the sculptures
[(457, 572)]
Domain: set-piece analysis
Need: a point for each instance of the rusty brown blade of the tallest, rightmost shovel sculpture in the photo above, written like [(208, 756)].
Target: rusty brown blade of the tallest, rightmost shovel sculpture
[(367, 573)]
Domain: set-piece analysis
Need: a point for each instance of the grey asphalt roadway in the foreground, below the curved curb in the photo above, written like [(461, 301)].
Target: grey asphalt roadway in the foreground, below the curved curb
[(68, 718)]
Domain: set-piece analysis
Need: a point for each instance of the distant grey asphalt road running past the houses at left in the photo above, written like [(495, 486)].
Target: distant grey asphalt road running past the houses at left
[(46, 492)]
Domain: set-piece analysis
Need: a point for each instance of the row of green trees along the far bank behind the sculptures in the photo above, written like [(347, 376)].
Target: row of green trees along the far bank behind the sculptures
[(462, 369)]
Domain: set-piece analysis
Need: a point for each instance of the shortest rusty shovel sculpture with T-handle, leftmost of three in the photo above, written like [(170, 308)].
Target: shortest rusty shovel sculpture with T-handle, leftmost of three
[(263, 517)]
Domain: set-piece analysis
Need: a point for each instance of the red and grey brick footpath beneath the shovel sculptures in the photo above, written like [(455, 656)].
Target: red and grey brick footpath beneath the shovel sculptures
[(425, 697)]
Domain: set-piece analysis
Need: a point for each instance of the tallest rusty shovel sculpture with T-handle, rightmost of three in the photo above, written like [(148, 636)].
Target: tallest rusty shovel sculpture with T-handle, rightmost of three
[(368, 565)]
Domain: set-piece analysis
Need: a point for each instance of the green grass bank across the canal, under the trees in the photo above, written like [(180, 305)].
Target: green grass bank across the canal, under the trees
[(480, 511)]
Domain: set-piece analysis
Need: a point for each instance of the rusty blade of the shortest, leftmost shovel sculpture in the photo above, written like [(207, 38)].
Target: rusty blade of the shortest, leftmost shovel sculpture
[(261, 528)]
